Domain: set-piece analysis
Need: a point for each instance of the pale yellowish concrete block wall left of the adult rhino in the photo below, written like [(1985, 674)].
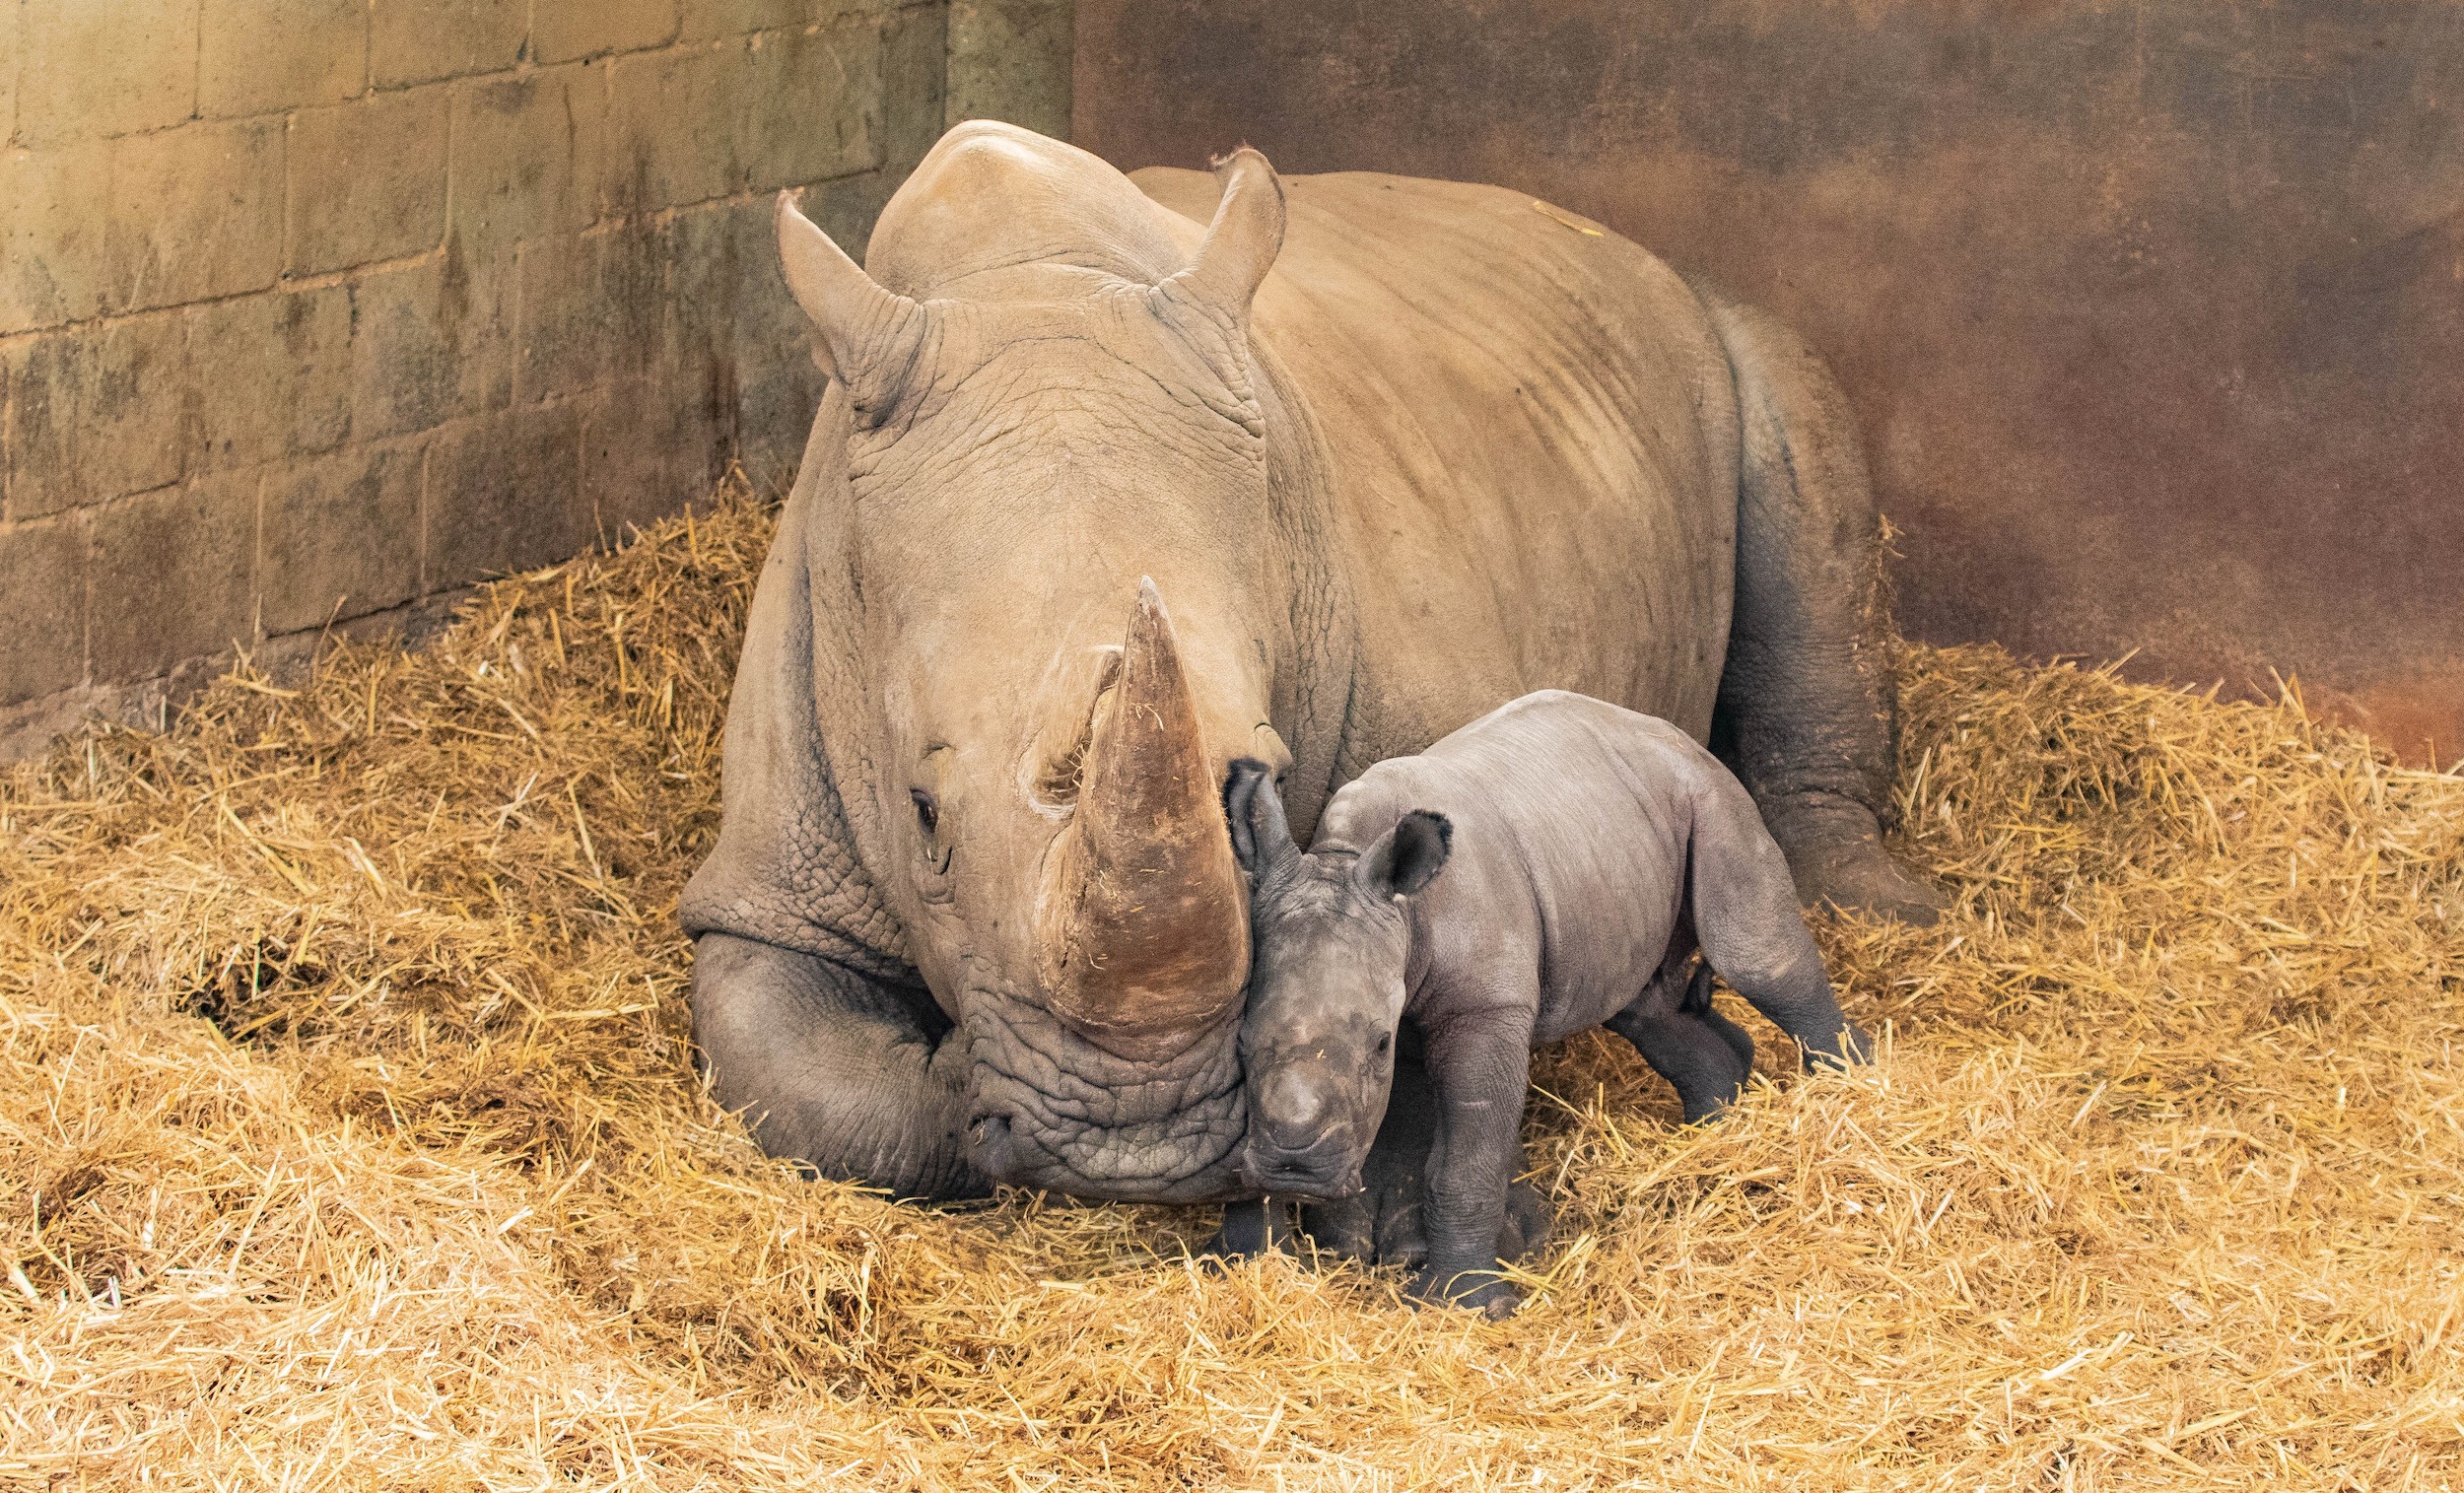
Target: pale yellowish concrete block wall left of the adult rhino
[(317, 312)]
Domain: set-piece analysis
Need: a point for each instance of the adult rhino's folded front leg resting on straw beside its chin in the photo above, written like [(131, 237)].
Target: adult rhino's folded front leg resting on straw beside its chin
[(832, 1068)]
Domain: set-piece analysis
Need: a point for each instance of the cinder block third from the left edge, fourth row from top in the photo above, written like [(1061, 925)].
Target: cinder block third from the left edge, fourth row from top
[(341, 538)]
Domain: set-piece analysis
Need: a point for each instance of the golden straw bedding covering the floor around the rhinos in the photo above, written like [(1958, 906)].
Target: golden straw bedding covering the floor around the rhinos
[(349, 1139)]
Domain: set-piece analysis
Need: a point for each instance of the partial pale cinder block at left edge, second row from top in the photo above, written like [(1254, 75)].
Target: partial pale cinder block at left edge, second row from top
[(53, 213)]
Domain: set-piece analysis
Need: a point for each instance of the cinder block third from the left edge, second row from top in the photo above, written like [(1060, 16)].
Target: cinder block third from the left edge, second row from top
[(368, 181)]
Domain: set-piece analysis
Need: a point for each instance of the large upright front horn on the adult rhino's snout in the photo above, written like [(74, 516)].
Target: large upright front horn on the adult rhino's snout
[(1142, 930)]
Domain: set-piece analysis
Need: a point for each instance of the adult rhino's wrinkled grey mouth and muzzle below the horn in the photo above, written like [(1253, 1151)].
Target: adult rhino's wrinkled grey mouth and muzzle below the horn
[(1053, 1110)]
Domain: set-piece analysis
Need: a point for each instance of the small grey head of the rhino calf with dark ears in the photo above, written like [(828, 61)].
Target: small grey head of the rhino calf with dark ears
[(1327, 987)]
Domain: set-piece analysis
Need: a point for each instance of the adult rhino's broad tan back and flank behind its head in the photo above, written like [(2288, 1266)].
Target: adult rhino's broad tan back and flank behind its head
[(1531, 440)]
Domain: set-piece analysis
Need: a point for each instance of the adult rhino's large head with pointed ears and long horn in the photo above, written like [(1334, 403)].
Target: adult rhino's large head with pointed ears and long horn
[(1039, 455)]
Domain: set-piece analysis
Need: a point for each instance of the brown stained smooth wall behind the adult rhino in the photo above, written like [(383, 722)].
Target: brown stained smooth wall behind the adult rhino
[(2155, 312)]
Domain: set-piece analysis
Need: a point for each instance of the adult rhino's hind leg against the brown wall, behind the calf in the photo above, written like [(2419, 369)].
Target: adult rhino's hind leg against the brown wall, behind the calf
[(1807, 703)]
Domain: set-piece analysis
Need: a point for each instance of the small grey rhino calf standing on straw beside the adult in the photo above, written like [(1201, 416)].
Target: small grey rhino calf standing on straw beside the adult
[(1588, 854)]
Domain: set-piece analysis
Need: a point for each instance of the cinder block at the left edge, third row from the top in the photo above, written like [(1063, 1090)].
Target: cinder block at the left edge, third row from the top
[(95, 413)]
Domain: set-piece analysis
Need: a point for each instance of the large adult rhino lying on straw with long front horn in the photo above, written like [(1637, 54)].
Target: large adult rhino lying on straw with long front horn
[(1122, 479)]
